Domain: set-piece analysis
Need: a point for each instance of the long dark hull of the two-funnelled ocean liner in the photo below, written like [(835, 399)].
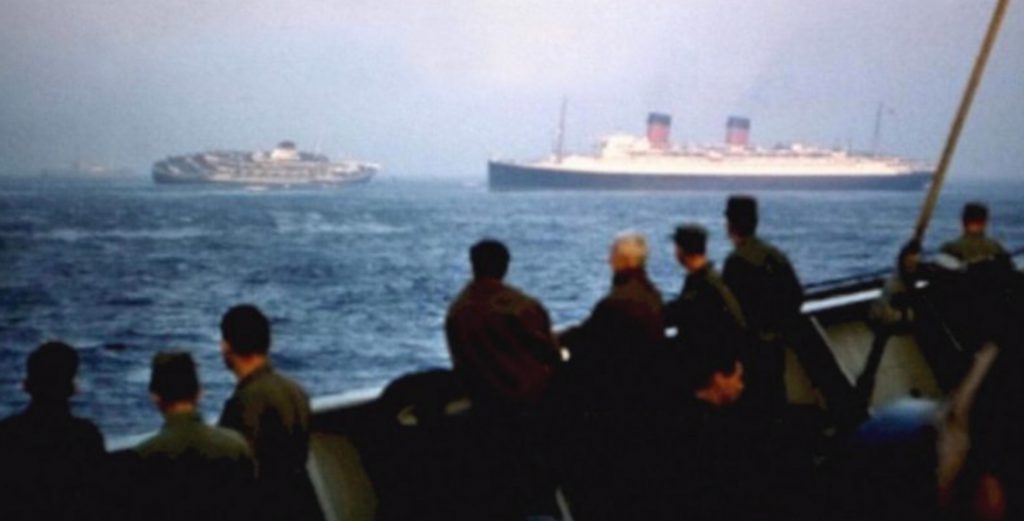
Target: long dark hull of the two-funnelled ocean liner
[(509, 177)]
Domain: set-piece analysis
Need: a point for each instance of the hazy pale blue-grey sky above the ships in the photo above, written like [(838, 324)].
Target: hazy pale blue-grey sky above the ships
[(437, 89)]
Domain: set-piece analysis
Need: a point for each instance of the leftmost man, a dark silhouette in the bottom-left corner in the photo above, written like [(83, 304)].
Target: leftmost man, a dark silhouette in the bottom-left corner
[(50, 459)]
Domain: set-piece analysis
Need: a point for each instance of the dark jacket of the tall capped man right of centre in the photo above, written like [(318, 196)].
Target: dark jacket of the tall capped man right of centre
[(765, 285)]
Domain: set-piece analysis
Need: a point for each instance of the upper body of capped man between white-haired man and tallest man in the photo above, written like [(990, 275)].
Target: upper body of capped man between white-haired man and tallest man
[(706, 314)]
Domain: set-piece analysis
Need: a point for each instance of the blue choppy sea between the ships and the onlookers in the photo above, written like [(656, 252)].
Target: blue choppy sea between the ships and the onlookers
[(358, 281)]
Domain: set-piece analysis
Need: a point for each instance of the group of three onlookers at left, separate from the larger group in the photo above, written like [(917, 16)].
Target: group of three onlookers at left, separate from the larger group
[(251, 466)]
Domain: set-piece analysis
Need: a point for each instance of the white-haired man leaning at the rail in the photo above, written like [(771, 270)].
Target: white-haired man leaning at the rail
[(605, 385)]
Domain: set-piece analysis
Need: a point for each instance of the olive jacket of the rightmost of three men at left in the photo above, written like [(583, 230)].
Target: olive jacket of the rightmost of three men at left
[(273, 414)]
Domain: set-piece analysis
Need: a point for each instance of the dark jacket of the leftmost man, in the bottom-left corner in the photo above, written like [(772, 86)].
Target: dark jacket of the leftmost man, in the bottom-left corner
[(50, 462)]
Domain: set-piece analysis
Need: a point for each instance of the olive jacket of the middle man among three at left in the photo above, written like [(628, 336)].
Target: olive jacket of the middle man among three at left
[(191, 471)]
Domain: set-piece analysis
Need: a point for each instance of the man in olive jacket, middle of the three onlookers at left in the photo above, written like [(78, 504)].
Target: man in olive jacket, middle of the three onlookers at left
[(189, 471)]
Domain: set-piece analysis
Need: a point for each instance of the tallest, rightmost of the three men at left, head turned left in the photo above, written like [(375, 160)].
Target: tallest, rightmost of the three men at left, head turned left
[(273, 414)]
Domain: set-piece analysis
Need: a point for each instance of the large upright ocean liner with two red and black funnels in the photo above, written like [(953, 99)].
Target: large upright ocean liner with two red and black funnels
[(653, 162)]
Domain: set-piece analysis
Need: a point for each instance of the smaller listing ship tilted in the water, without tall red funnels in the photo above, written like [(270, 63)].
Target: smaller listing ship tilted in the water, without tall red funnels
[(284, 166)]
